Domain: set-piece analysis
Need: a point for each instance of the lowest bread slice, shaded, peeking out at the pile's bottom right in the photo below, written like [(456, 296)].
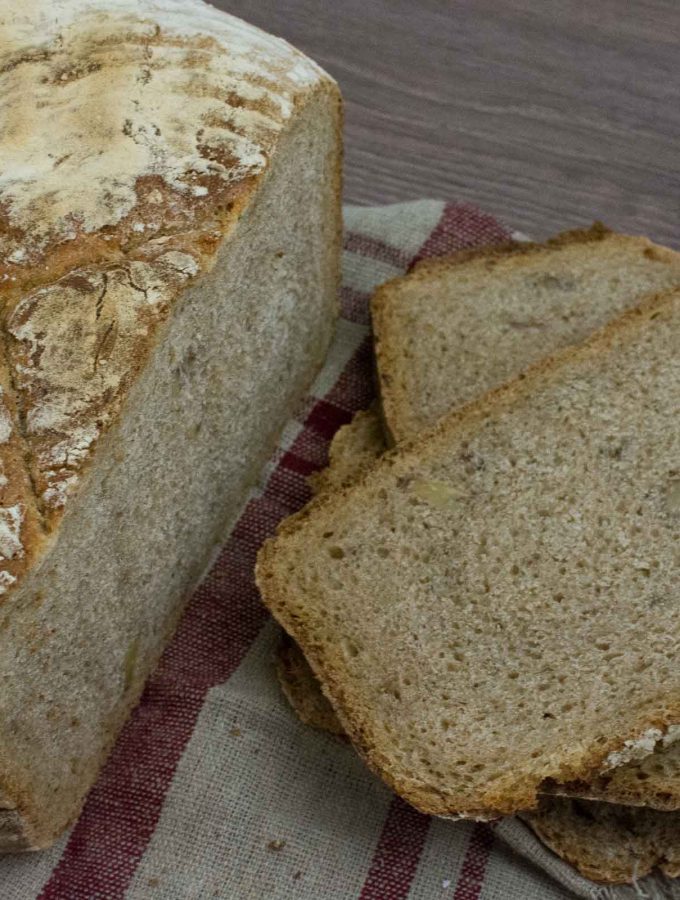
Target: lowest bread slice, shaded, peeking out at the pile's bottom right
[(609, 843)]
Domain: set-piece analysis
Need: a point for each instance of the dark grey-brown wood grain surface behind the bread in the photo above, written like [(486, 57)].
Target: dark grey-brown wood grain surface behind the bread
[(548, 113)]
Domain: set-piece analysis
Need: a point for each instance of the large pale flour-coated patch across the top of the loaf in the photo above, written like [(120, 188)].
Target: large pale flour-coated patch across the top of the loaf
[(115, 123)]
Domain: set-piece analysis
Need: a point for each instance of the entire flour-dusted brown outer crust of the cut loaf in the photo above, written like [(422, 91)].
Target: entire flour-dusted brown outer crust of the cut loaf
[(132, 135)]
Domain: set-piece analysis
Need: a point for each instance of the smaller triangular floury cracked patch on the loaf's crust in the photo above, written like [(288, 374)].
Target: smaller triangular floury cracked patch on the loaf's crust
[(74, 347)]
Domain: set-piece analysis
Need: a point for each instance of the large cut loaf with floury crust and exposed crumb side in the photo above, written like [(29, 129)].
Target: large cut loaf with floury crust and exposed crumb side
[(169, 246)]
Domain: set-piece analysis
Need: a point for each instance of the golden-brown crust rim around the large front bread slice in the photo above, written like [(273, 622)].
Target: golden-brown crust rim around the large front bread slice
[(273, 585)]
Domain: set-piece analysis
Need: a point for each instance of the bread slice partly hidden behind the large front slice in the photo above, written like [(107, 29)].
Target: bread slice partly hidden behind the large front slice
[(434, 326)]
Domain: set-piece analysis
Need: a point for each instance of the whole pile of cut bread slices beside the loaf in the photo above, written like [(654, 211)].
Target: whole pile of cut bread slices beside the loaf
[(483, 594)]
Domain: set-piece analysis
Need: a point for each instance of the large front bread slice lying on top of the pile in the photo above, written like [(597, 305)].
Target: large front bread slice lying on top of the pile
[(400, 592)]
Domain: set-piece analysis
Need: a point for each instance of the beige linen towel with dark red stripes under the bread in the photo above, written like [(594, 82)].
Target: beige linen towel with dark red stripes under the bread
[(214, 789)]
